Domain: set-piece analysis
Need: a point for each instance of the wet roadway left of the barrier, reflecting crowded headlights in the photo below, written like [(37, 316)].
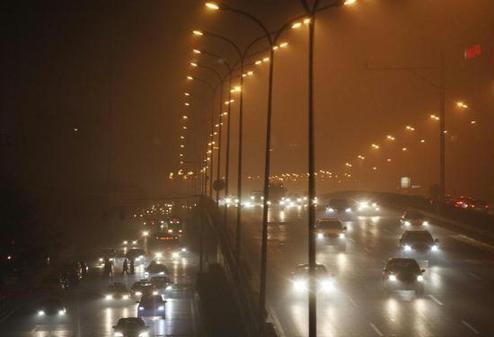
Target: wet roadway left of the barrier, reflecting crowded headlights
[(89, 314)]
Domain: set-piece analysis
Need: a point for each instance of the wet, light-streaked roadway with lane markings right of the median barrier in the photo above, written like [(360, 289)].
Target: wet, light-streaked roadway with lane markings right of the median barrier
[(458, 299)]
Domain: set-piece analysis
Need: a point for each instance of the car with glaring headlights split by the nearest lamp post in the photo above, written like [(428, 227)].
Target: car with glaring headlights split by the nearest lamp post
[(300, 279)]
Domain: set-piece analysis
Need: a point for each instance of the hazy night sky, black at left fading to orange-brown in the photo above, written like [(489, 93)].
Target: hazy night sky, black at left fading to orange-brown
[(115, 71)]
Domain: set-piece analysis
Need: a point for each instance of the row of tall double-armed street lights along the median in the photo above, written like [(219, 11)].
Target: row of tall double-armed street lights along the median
[(272, 39)]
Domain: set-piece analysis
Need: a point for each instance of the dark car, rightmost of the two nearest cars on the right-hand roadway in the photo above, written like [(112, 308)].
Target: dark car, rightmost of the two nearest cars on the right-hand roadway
[(403, 274)]
